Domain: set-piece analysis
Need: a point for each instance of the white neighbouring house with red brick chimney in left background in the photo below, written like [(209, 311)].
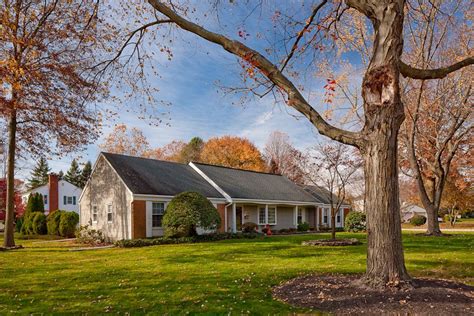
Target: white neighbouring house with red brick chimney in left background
[(57, 195)]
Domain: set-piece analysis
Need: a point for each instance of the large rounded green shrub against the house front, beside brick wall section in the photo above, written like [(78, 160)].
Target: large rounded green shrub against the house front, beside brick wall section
[(188, 211)]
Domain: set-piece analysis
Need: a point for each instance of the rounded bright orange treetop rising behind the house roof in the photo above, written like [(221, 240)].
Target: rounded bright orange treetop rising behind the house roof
[(234, 152)]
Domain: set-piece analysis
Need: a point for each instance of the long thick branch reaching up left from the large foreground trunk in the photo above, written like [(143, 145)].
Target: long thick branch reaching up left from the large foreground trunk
[(268, 69)]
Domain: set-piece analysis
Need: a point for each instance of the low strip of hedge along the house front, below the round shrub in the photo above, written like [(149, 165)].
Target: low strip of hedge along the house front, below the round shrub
[(183, 240)]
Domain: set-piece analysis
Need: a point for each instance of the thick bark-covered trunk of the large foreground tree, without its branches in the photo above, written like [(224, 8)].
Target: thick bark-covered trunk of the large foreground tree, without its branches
[(384, 113)]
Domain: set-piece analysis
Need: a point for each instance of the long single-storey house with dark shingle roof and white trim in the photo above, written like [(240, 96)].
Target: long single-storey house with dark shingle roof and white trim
[(126, 196)]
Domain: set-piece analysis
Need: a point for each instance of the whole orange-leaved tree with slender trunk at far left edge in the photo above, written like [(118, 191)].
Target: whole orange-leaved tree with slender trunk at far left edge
[(47, 80)]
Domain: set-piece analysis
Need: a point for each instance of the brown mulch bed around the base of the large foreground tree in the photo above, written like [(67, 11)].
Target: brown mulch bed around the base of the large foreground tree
[(340, 294)]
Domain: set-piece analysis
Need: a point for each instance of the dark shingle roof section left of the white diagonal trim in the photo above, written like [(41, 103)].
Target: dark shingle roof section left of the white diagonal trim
[(156, 177)]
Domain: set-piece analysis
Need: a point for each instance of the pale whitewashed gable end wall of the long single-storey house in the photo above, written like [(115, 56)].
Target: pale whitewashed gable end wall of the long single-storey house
[(106, 188)]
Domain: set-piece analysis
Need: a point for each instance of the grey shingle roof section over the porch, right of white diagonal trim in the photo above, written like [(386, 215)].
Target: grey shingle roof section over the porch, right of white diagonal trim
[(255, 185)]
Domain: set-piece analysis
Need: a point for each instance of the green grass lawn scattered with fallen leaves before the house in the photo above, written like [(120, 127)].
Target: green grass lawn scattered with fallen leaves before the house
[(220, 277)]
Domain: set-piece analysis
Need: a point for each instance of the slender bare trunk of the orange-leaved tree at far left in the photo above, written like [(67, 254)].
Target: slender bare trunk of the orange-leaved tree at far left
[(9, 238)]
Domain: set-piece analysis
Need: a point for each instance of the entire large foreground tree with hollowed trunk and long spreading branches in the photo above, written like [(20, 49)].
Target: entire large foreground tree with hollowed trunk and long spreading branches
[(307, 32)]
